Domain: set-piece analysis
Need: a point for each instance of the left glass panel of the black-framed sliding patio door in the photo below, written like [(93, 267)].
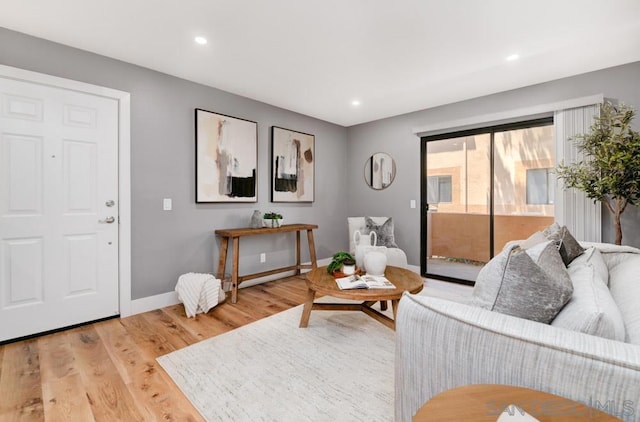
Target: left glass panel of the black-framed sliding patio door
[(458, 176)]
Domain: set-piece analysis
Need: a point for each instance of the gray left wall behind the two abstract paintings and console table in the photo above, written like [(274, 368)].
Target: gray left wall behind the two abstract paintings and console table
[(166, 244)]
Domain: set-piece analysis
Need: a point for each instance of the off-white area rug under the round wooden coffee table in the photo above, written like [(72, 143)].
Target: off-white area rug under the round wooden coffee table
[(340, 368)]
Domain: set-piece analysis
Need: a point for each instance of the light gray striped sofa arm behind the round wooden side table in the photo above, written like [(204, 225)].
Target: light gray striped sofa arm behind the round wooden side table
[(442, 345)]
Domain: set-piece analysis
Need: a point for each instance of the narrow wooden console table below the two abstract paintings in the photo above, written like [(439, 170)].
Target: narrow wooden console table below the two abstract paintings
[(236, 234)]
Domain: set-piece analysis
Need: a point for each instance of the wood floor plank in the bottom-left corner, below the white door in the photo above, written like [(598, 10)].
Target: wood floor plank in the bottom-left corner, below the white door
[(20, 383)]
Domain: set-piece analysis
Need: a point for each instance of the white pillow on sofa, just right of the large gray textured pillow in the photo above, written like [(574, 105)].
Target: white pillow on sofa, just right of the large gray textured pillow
[(591, 309)]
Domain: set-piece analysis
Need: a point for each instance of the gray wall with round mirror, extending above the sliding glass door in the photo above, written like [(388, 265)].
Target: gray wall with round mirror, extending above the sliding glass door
[(394, 135)]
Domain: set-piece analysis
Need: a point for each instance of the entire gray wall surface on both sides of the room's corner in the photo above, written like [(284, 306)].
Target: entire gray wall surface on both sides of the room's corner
[(167, 244)]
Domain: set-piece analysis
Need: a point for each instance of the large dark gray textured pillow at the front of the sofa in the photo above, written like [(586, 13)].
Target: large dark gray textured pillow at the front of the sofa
[(531, 284)]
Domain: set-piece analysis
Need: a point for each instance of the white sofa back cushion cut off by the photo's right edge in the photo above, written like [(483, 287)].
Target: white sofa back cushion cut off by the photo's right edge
[(624, 285)]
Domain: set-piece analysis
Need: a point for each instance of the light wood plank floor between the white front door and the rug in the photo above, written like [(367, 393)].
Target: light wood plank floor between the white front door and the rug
[(107, 371)]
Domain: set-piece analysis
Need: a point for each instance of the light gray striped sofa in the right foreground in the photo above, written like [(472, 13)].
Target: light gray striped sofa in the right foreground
[(442, 344)]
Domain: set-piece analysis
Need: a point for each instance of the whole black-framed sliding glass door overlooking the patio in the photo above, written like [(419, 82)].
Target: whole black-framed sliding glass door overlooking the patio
[(481, 189)]
